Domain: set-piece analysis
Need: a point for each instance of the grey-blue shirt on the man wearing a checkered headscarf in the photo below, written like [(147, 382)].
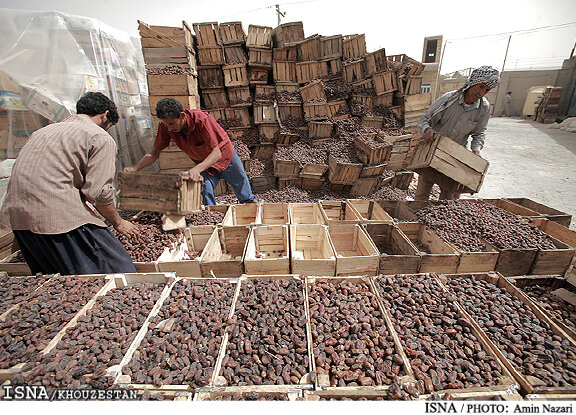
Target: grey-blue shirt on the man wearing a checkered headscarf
[(459, 121)]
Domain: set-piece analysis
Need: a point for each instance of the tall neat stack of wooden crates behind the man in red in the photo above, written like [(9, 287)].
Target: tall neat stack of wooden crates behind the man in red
[(171, 69)]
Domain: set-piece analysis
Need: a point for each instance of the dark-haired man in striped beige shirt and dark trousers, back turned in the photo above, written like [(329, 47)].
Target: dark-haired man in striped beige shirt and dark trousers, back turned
[(61, 168)]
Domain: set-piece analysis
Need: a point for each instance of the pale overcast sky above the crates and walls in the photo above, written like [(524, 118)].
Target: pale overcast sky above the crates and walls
[(399, 26)]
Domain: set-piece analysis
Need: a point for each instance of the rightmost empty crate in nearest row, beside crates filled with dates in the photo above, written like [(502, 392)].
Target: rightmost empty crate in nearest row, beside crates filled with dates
[(437, 255)]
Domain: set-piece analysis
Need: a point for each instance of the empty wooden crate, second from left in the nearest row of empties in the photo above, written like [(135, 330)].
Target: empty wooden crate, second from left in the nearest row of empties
[(223, 254)]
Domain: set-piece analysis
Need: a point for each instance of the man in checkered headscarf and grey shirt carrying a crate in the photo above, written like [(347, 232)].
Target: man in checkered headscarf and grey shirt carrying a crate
[(458, 115)]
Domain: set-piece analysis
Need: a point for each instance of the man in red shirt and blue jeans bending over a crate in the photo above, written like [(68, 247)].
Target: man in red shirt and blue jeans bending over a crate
[(198, 135)]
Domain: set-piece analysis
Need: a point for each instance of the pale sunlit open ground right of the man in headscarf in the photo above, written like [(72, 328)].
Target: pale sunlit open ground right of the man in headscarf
[(532, 160)]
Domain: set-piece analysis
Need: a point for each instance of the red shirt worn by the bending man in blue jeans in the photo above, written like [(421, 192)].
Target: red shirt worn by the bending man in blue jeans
[(200, 136)]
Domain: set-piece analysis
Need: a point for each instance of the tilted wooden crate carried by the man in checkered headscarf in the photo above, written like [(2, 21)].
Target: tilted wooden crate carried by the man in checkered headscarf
[(450, 159)]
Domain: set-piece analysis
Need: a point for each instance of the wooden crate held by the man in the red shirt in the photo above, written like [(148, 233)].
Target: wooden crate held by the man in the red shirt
[(159, 192)]
